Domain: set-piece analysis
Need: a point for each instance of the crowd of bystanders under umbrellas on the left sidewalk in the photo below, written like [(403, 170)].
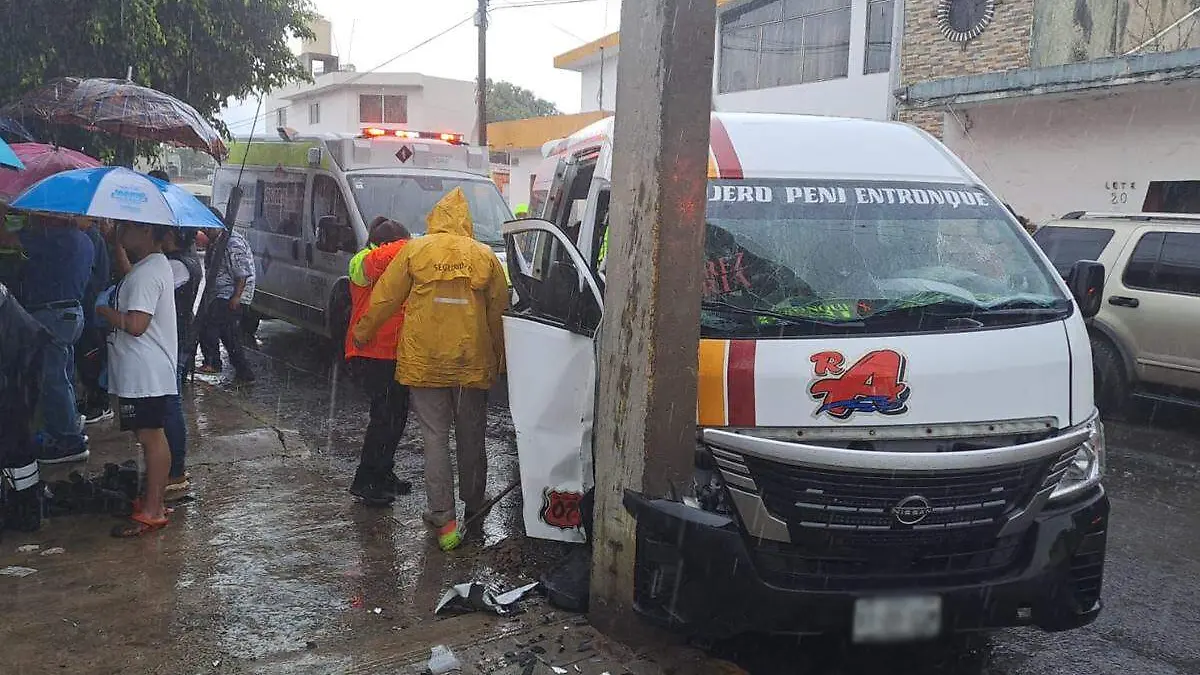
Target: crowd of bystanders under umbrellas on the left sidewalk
[(117, 303)]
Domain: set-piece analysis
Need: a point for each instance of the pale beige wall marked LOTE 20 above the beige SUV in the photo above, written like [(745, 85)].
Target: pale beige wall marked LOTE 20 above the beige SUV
[(1051, 157)]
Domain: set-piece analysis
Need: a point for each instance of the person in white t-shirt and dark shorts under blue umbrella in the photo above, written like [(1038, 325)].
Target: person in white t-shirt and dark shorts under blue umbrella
[(143, 361)]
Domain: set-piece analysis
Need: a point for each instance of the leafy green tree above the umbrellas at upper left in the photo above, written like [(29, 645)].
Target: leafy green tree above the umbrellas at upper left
[(203, 52)]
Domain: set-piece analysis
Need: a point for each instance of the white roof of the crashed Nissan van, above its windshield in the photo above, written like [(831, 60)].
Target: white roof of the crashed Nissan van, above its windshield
[(785, 146)]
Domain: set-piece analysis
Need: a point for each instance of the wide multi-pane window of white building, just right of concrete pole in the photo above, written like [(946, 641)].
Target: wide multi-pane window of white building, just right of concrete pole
[(781, 43)]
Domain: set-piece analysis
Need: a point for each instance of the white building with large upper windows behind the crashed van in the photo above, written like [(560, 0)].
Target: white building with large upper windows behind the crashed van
[(815, 57)]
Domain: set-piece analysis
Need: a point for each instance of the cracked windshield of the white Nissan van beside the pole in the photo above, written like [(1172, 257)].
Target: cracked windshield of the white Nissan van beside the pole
[(807, 258)]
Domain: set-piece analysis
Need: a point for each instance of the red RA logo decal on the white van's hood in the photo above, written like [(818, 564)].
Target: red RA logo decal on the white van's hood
[(875, 384)]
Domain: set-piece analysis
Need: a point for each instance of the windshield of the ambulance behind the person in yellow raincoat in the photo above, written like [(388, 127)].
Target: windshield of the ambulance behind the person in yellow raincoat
[(409, 200)]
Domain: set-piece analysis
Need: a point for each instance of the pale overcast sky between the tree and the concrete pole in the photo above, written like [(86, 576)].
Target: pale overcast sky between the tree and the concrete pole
[(523, 43)]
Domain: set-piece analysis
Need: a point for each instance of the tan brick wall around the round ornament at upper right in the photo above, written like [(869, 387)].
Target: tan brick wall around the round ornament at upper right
[(929, 56)]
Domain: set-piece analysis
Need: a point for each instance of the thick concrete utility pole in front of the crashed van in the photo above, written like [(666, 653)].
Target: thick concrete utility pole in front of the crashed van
[(646, 413)]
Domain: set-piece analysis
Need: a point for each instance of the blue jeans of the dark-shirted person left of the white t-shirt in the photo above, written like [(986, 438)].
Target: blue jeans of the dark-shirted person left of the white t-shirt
[(61, 417)]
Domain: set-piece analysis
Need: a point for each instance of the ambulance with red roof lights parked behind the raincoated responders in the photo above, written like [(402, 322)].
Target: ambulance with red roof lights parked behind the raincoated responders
[(308, 202)]
